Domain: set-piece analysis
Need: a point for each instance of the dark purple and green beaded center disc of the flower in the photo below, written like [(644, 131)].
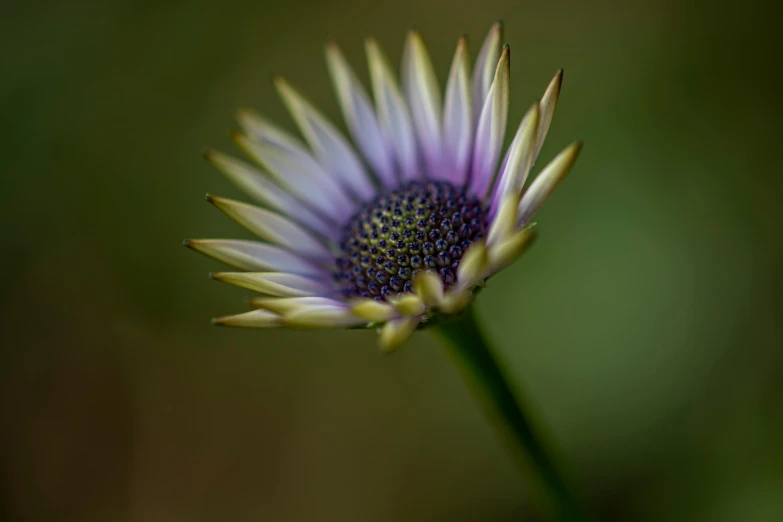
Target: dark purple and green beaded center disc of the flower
[(418, 226)]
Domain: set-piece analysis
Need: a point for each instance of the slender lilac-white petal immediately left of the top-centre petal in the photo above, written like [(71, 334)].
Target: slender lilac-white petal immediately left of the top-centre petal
[(393, 114)]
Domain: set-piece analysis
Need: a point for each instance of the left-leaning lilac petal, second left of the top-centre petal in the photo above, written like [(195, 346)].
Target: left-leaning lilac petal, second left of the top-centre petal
[(359, 116)]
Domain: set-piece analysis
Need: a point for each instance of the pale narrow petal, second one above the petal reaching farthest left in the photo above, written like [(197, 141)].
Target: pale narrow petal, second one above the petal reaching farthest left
[(265, 191)]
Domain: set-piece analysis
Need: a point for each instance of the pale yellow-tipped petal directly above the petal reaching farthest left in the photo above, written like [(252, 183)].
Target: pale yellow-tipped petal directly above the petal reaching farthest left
[(273, 228)]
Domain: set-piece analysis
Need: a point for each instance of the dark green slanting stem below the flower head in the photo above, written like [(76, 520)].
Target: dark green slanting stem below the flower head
[(473, 355)]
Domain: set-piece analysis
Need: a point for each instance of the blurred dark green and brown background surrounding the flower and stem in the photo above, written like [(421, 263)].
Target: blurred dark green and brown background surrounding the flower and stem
[(644, 326)]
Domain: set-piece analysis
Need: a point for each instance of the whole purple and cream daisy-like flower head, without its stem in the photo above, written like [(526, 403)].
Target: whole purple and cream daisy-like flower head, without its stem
[(411, 226)]
